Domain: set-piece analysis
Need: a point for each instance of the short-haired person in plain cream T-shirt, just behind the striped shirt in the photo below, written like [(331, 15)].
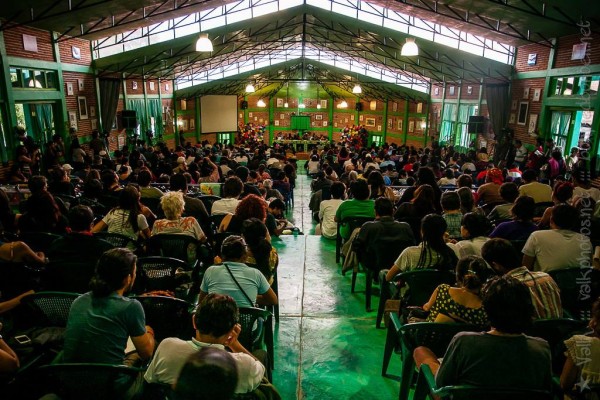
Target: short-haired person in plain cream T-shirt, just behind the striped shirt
[(559, 247)]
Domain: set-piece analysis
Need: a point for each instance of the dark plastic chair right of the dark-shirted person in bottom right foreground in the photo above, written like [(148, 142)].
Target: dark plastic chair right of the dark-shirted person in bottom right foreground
[(555, 332)]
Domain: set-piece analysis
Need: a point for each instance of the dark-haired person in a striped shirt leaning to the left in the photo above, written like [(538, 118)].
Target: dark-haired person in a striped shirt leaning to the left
[(501, 255)]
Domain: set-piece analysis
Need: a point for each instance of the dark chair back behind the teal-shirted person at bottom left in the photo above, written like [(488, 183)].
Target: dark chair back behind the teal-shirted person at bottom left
[(86, 381)]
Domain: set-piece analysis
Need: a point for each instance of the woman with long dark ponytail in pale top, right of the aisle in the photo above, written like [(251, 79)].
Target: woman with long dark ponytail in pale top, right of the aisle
[(431, 253)]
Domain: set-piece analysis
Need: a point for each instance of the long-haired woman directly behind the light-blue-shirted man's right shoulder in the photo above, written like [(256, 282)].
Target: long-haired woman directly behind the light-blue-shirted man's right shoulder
[(261, 254)]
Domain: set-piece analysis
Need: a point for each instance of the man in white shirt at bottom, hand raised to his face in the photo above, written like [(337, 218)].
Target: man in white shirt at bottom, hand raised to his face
[(216, 327)]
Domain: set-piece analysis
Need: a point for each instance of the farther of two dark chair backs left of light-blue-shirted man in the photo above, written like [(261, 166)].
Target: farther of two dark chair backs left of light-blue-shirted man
[(158, 273)]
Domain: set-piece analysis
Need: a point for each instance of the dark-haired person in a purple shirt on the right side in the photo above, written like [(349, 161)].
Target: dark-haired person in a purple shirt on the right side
[(522, 224)]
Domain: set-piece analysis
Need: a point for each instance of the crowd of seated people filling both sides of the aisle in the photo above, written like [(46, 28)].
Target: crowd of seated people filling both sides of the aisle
[(495, 226)]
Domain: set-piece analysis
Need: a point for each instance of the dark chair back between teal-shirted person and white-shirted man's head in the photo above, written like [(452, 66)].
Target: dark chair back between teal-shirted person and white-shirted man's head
[(168, 316)]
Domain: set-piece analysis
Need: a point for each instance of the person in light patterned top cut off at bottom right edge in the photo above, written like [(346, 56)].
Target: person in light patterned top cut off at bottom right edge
[(583, 356)]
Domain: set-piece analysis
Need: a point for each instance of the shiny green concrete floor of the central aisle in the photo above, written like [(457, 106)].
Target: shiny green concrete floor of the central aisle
[(326, 344)]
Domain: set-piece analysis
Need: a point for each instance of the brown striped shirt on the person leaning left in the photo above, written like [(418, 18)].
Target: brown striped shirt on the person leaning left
[(545, 293)]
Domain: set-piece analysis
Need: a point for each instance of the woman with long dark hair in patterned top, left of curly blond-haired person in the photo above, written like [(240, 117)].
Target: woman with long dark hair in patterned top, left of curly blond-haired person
[(127, 218)]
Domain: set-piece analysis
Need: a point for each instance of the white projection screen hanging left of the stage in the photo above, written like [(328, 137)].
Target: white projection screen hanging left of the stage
[(218, 114)]
